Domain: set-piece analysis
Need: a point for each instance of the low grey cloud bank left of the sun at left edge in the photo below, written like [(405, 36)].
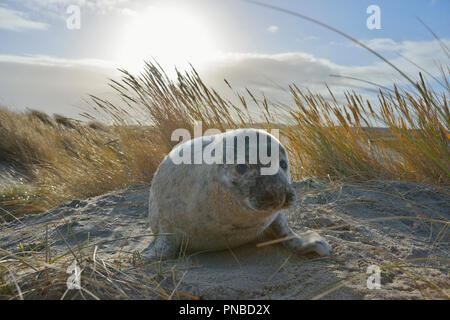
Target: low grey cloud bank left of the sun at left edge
[(50, 84)]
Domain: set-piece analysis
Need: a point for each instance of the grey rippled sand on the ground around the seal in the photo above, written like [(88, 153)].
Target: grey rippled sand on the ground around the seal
[(400, 227)]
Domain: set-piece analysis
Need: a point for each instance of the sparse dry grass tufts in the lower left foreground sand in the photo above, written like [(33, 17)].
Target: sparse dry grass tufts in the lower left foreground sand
[(27, 274)]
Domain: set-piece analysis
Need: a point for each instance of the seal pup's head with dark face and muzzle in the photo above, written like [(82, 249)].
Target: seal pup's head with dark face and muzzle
[(261, 179)]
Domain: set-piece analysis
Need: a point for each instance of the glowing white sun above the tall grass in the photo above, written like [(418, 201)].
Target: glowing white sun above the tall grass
[(173, 36)]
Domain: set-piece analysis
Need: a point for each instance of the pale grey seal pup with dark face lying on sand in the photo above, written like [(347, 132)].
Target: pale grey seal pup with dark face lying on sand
[(222, 191)]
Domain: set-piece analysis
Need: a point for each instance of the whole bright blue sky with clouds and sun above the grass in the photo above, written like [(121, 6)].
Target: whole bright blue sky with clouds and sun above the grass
[(49, 62)]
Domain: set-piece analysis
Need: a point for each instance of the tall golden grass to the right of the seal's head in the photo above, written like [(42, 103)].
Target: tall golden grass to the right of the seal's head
[(346, 142)]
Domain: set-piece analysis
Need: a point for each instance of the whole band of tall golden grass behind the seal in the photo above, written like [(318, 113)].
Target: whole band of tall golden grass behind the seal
[(65, 159)]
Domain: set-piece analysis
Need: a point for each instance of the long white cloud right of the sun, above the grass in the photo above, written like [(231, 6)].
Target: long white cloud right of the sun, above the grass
[(273, 73)]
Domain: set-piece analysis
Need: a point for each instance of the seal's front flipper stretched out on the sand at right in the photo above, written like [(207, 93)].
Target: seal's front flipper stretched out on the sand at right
[(311, 243)]
